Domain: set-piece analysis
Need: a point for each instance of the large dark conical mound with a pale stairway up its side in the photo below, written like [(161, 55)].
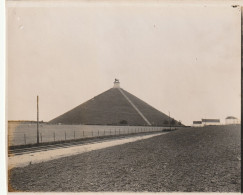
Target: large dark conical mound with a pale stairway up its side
[(114, 107)]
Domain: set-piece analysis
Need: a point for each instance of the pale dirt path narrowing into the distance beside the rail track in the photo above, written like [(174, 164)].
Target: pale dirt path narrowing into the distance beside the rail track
[(43, 156)]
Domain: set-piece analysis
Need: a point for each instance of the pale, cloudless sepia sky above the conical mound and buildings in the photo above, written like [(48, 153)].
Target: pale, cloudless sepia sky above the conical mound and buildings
[(182, 59)]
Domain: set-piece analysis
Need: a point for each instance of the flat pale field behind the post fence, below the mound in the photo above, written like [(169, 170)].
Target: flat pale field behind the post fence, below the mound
[(21, 134)]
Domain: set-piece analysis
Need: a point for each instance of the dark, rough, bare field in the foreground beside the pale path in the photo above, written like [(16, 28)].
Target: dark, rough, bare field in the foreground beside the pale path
[(192, 159)]
